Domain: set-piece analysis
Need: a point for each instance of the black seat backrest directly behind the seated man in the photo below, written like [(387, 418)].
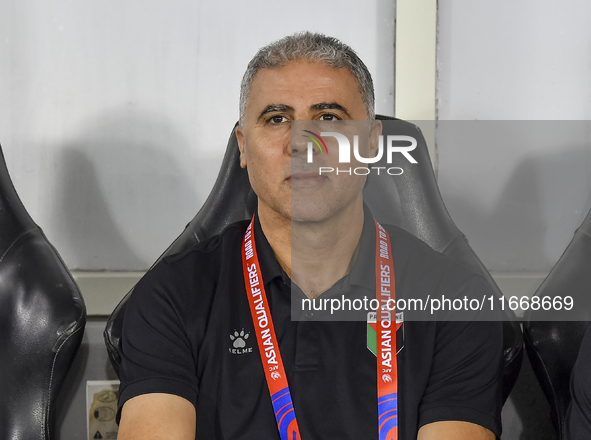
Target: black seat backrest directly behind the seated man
[(413, 202)]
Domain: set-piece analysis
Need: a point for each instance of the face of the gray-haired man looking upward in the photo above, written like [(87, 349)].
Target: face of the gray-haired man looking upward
[(285, 183)]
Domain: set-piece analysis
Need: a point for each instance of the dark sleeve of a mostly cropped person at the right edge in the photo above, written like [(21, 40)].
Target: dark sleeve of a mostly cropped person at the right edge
[(578, 416)]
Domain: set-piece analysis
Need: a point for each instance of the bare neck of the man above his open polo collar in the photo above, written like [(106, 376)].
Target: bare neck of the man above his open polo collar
[(315, 255)]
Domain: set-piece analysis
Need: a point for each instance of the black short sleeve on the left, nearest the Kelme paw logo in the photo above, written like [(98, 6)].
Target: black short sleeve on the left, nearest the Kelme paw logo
[(156, 354)]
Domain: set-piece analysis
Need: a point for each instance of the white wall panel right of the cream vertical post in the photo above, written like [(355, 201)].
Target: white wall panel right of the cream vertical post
[(518, 191)]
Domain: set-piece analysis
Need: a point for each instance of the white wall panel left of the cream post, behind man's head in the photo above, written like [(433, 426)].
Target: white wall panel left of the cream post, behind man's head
[(114, 116)]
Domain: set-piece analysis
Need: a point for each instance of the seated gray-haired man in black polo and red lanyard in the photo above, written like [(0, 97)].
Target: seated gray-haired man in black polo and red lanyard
[(200, 358)]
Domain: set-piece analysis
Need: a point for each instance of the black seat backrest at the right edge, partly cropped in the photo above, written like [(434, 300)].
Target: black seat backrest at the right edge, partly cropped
[(553, 338)]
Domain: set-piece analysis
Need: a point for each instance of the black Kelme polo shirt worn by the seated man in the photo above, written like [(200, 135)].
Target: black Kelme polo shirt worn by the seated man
[(188, 331)]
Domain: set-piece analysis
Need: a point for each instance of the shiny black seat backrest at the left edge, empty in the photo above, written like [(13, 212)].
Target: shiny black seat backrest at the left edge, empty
[(42, 318)]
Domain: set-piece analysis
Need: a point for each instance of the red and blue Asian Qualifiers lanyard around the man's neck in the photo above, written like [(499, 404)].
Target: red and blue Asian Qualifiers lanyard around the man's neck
[(387, 372)]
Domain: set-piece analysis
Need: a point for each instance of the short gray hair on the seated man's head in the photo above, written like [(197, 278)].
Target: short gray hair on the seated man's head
[(309, 46)]
